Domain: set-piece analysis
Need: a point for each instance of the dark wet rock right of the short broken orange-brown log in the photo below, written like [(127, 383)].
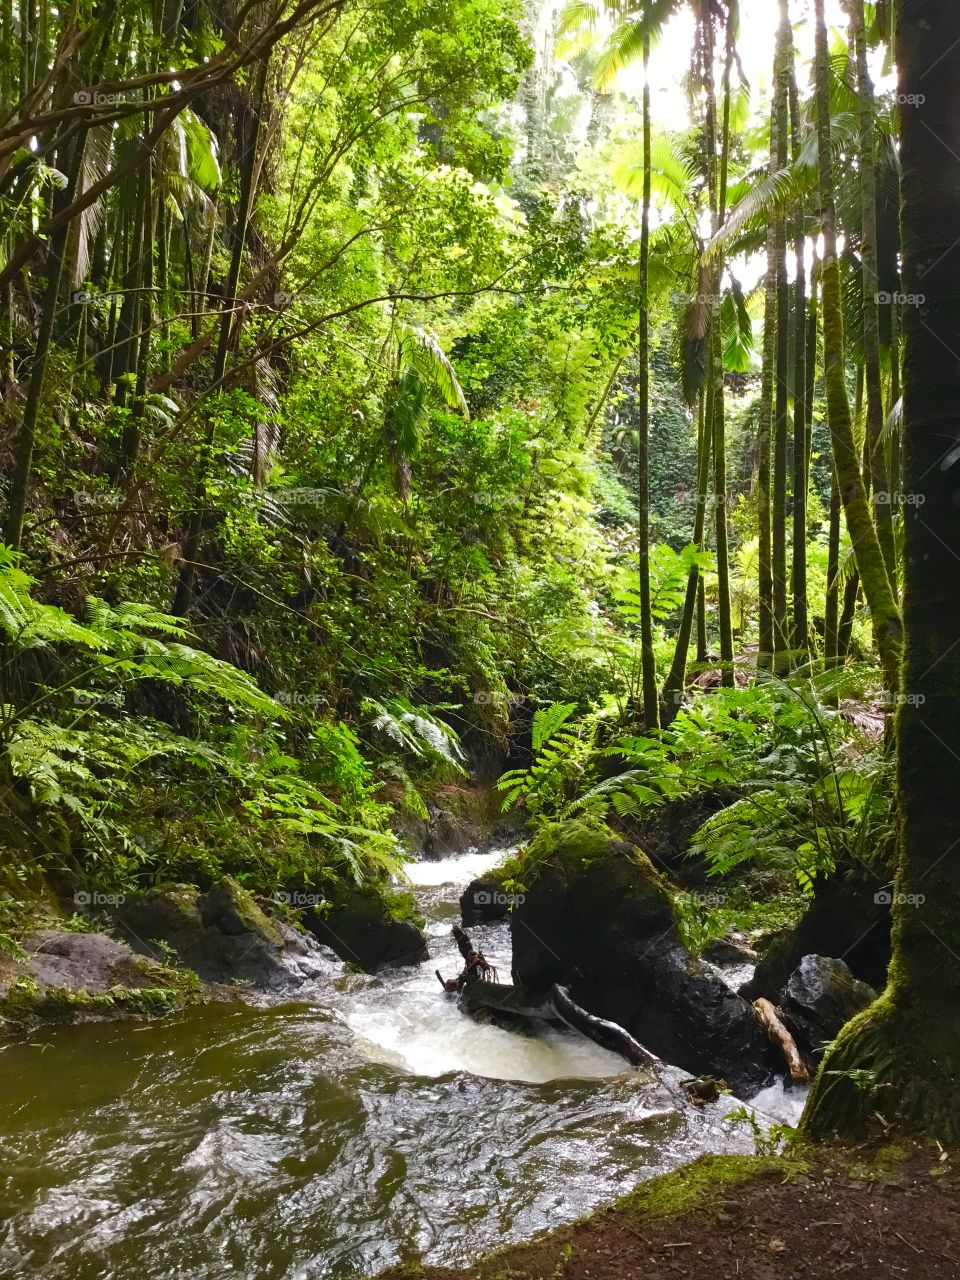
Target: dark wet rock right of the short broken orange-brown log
[(820, 998)]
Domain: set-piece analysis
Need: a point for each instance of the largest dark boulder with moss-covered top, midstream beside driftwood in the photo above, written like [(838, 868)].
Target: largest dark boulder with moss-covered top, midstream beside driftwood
[(598, 918)]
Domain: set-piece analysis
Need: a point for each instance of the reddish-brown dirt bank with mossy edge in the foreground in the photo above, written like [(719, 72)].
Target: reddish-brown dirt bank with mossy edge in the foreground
[(829, 1215)]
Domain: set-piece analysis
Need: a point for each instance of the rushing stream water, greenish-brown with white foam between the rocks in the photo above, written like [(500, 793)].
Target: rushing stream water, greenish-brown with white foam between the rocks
[(324, 1140)]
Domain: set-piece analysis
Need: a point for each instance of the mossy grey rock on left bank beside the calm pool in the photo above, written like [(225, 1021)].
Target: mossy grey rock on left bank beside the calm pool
[(223, 936)]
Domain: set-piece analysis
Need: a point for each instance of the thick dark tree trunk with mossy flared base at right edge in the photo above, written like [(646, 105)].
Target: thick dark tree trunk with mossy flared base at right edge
[(900, 1059)]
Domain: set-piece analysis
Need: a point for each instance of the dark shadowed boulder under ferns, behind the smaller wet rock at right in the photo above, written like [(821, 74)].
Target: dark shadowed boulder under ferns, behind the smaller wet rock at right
[(849, 917)]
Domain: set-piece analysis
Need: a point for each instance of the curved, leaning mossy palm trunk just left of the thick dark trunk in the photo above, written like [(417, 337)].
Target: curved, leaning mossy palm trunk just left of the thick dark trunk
[(860, 520)]
